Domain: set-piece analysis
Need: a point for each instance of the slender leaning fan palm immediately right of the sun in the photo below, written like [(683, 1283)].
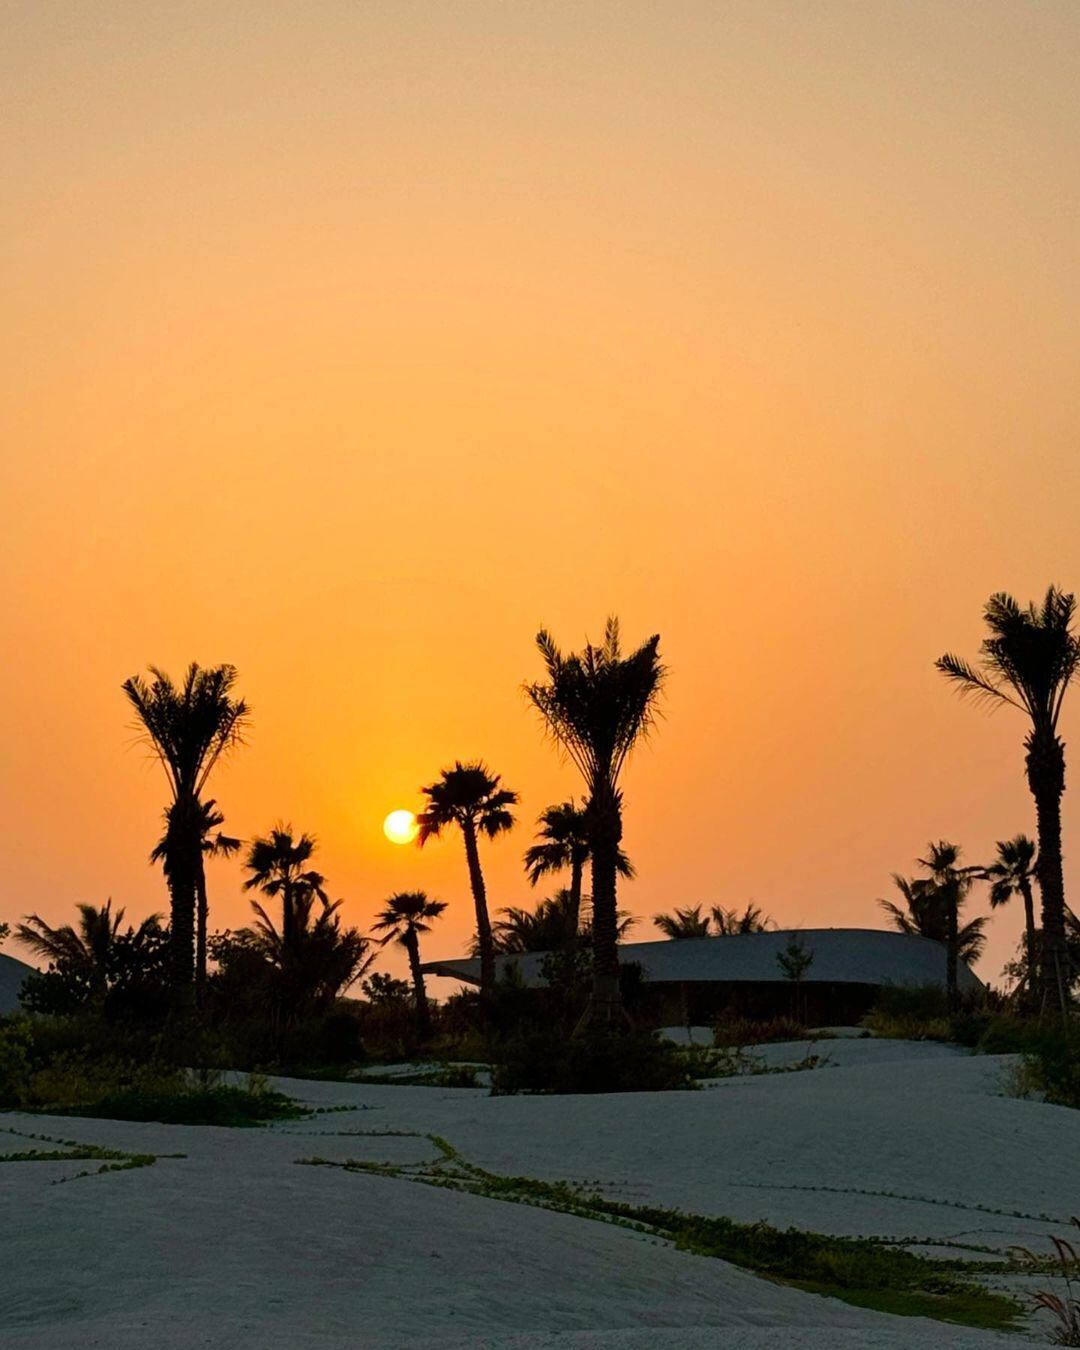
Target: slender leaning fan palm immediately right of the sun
[(470, 797)]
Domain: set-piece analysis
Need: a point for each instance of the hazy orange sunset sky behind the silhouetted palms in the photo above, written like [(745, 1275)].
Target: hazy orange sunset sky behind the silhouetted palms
[(354, 342)]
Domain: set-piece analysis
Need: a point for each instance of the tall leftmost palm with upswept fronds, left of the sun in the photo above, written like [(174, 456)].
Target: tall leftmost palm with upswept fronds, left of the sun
[(190, 727)]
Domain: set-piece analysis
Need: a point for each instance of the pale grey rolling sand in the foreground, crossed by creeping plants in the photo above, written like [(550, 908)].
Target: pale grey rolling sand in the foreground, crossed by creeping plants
[(237, 1247)]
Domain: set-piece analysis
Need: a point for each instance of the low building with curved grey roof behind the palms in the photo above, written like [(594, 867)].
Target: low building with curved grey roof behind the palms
[(695, 981)]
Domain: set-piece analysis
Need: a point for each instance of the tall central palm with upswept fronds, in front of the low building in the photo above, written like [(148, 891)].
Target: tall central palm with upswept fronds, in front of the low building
[(597, 705)]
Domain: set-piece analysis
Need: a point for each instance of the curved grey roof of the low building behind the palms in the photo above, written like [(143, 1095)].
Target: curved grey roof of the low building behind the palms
[(842, 956)]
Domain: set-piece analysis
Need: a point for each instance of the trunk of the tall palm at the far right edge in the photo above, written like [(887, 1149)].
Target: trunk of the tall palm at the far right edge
[(1047, 780)]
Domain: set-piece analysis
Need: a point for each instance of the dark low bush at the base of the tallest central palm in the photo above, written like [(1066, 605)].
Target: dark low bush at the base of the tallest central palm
[(637, 1062)]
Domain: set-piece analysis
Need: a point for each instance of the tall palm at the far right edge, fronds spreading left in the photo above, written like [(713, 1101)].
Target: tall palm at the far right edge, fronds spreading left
[(1029, 661)]
